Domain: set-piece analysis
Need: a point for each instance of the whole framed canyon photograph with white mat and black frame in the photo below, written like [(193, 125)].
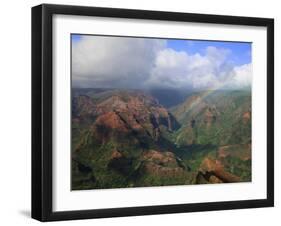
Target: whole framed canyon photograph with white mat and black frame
[(145, 112)]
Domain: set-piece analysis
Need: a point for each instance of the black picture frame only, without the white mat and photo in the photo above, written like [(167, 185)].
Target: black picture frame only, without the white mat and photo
[(42, 106)]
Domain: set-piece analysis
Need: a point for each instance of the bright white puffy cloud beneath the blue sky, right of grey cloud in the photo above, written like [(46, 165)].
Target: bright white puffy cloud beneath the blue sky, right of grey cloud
[(178, 69)]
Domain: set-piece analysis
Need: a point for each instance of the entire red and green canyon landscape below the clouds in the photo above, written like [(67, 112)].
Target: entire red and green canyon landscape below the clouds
[(128, 138)]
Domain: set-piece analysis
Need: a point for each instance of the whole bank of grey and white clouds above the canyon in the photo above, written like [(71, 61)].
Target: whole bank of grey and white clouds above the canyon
[(115, 62)]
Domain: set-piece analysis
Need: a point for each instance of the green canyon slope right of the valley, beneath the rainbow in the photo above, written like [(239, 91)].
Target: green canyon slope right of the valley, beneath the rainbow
[(216, 129)]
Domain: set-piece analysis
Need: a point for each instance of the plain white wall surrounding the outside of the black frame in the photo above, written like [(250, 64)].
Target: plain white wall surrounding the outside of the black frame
[(15, 116)]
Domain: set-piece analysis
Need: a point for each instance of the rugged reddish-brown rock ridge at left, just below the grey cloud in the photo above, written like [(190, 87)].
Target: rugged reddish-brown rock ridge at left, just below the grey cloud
[(125, 112)]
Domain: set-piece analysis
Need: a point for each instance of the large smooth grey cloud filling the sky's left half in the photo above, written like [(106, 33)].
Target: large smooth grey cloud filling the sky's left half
[(113, 61)]
